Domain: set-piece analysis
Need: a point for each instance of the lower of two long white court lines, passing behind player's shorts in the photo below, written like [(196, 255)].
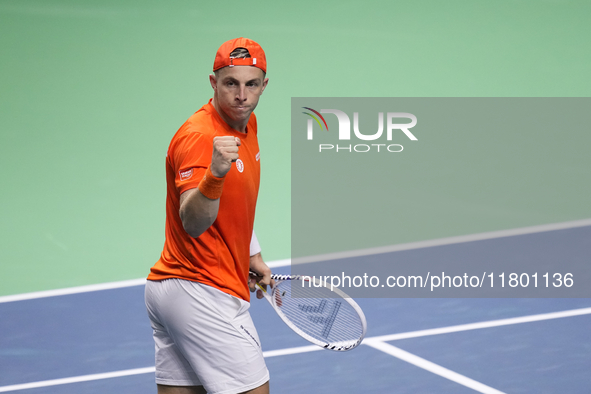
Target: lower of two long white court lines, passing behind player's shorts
[(305, 349)]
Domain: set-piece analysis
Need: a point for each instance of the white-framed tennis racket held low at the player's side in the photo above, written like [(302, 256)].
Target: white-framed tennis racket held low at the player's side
[(325, 317)]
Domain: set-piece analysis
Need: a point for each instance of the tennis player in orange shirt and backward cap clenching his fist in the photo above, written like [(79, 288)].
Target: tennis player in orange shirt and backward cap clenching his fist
[(197, 294)]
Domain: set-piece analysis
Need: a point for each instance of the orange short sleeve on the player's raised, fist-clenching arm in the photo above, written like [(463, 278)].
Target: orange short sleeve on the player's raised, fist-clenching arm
[(190, 158)]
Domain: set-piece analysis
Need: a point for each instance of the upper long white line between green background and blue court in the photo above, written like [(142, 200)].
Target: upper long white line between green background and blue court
[(325, 257)]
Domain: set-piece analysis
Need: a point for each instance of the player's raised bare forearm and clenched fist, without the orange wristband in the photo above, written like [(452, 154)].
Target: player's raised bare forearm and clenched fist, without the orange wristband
[(198, 212)]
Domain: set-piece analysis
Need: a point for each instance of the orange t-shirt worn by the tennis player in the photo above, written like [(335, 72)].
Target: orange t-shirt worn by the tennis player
[(220, 257)]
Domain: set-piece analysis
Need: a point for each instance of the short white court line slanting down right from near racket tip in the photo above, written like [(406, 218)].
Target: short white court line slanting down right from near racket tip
[(431, 367)]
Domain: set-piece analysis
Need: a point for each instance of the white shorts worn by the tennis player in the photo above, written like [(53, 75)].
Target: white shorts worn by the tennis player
[(204, 337)]
